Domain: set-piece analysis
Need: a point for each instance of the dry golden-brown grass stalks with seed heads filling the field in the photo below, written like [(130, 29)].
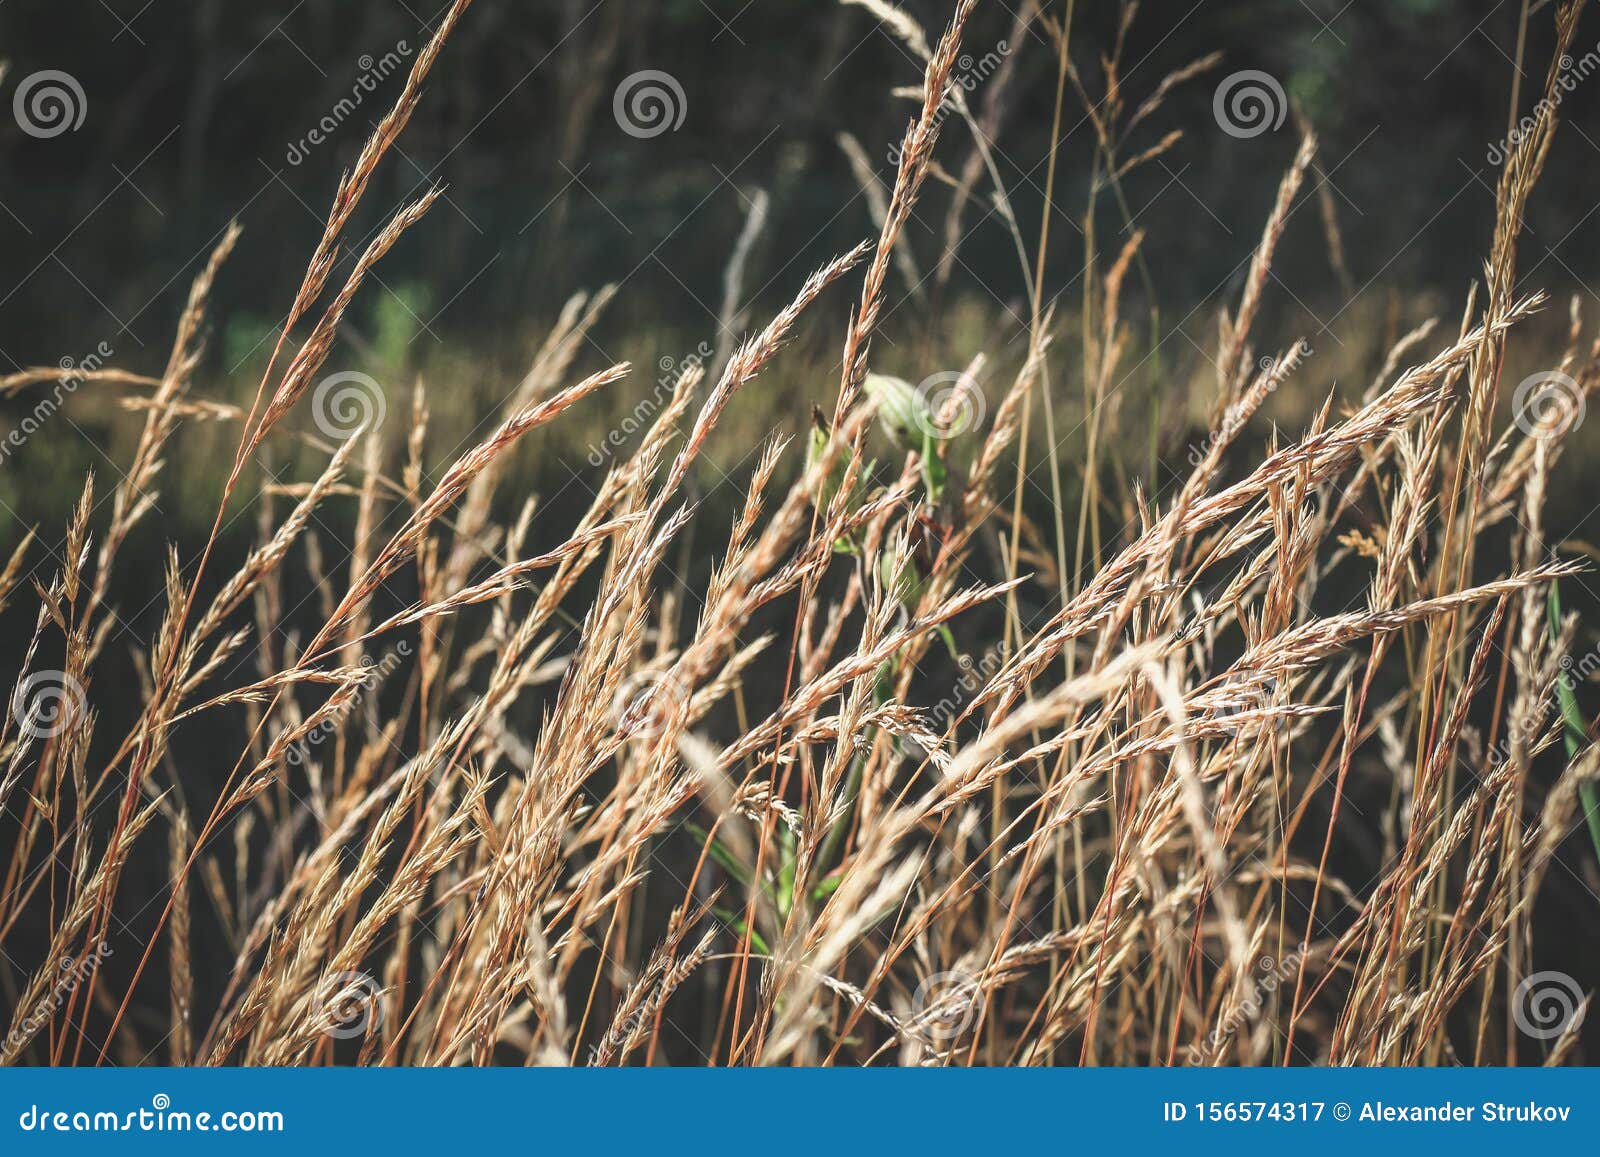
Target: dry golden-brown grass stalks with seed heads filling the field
[(554, 807)]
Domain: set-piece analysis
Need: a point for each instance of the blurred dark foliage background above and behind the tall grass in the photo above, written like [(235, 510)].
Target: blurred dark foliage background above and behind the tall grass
[(194, 105)]
